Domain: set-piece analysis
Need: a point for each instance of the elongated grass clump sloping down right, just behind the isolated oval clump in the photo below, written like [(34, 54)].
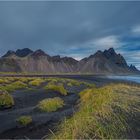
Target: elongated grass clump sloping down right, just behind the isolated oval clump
[(58, 88)]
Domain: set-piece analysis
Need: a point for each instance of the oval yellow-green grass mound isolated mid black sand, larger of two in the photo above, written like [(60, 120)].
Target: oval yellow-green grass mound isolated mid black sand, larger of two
[(51, 104)]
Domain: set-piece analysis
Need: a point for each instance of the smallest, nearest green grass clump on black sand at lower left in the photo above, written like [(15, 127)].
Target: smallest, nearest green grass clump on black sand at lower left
[(24, 120)]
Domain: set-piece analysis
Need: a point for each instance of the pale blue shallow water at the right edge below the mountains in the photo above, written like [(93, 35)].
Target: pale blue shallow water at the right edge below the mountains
[(135, 78)]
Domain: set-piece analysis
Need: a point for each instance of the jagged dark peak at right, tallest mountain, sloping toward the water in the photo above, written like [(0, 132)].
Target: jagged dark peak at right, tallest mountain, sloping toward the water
[(107, 62)]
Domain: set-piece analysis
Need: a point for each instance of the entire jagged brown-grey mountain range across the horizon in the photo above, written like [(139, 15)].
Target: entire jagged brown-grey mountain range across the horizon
[(102, 62)]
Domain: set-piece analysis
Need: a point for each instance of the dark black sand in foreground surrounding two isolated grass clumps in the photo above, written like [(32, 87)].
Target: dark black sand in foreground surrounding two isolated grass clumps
[(25, 104)]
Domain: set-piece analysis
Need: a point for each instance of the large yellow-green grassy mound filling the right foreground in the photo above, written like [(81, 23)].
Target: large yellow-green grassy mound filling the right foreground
[(110, 112)]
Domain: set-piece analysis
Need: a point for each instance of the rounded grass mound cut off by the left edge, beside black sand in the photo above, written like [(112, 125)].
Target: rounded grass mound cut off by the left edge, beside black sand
[(6, 100)]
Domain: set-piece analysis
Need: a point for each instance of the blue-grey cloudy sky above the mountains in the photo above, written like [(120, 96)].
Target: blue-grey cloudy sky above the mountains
[(70, 28)]
